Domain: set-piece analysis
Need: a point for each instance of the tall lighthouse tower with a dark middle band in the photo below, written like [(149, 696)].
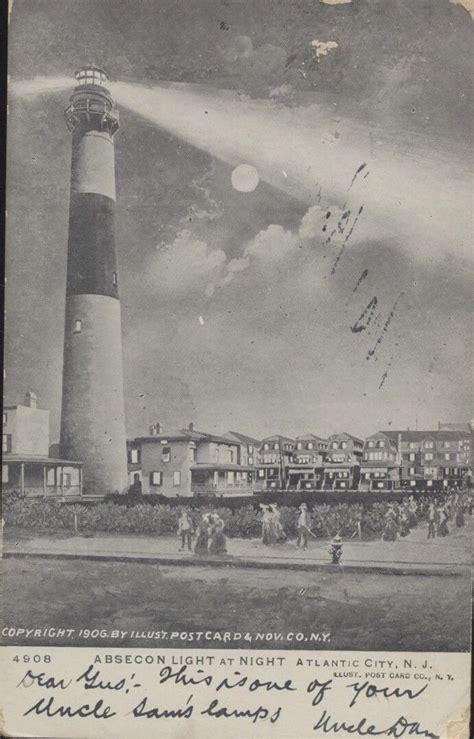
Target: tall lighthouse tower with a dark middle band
[(93, 416)]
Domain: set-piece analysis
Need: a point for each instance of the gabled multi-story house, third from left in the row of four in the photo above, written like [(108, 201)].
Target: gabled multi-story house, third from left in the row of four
[(342, 462)]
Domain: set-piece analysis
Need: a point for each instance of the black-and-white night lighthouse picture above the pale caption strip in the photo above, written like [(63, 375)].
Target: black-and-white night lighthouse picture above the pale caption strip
[(237, 403)]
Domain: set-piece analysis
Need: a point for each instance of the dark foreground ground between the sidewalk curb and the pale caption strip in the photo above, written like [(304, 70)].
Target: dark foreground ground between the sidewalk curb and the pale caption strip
[(361, 611)]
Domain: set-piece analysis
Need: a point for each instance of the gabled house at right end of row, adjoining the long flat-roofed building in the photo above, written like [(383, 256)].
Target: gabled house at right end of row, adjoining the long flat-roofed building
[(380, 464)]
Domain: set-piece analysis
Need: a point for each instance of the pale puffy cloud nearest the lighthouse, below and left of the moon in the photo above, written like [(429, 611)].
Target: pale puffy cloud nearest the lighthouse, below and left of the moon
[(185, 263)]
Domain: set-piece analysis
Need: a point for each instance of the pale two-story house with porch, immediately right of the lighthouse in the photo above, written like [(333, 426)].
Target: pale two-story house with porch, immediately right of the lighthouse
[(187, 462)]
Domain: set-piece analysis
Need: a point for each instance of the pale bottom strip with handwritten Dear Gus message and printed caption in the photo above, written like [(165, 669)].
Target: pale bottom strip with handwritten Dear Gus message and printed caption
[(87, 692)]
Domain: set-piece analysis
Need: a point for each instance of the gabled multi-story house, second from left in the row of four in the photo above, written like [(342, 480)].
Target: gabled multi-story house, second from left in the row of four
[(306, 472)]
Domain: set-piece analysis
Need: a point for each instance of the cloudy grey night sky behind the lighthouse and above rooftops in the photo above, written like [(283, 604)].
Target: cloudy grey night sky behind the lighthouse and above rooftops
[(237, 312)]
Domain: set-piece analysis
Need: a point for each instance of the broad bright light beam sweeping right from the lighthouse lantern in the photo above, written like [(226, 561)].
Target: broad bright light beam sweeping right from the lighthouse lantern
[(421, 203)]
